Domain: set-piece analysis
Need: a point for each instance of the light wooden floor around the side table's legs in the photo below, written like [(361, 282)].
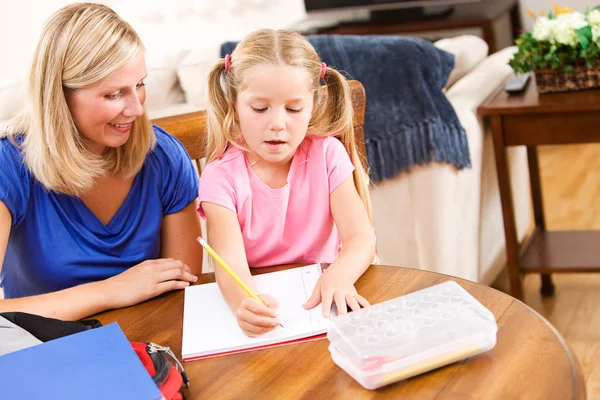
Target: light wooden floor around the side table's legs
[(571, 195)]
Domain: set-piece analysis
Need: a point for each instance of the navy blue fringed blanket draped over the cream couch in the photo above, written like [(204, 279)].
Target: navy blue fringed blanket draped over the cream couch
[(408, 121)]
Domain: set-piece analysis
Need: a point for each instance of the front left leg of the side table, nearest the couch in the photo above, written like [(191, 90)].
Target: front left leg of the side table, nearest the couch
[(508, 213)]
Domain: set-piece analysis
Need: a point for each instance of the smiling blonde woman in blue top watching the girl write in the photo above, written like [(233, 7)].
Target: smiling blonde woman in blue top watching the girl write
[(97, 207)]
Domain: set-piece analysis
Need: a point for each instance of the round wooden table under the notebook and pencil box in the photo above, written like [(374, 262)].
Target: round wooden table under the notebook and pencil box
[(530, 361)]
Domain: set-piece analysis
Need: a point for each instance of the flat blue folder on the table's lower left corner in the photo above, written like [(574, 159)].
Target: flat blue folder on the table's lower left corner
[(95, 364)]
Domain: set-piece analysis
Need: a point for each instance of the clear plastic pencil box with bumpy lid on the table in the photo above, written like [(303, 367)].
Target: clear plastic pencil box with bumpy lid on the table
[(412, 334)]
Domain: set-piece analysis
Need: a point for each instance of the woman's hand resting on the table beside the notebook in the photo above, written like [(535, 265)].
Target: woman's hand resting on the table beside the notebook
[(145, 281)]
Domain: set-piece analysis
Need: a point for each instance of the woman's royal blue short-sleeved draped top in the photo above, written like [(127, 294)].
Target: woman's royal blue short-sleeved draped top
[(56, 242)]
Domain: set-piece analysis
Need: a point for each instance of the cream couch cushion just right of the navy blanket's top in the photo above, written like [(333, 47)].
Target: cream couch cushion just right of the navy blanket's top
[(468, 50)]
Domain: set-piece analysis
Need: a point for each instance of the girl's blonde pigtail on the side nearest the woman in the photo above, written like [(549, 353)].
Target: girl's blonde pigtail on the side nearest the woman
[(219, 115)]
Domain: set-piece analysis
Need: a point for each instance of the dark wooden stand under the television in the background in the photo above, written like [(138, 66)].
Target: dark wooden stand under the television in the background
[(481, 15)]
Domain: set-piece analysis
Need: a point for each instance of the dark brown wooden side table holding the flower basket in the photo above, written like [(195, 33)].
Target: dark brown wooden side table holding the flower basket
[(530, 119)]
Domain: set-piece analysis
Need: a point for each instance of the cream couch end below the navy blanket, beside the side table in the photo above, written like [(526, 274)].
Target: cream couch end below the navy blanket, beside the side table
[(449, 221)]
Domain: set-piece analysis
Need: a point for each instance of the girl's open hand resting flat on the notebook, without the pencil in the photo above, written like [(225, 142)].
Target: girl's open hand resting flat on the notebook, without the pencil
[(332, 287)]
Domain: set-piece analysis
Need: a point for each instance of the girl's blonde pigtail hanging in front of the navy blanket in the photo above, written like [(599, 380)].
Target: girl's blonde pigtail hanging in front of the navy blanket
[(336, 109)]
